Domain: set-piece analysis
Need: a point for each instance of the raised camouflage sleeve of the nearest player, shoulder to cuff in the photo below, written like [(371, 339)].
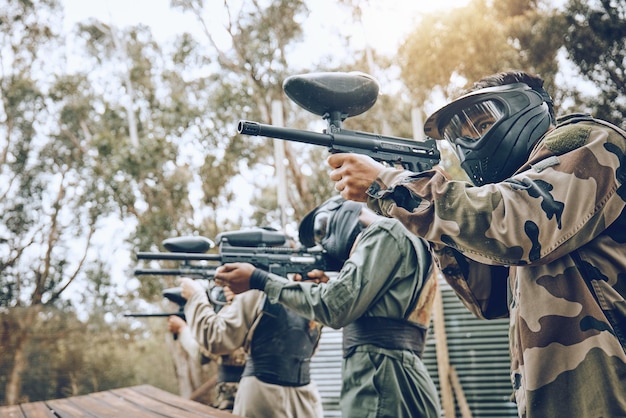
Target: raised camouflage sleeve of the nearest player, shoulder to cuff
[(566, 195)]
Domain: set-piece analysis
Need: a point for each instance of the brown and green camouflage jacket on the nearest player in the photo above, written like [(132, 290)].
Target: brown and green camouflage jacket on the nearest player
[(546, 247)]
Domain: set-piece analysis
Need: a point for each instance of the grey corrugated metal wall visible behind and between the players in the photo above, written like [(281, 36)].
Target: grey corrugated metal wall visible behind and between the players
[(478, 350)]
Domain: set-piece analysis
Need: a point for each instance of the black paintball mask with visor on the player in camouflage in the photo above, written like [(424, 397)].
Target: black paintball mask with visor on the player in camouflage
[(493, 130)]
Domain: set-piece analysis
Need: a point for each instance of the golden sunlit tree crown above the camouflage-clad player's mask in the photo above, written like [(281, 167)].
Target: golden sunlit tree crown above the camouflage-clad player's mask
[(449, 49)]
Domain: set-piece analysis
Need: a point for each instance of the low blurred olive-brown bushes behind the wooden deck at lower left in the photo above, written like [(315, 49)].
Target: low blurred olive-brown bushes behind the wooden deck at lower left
[(69, 357)]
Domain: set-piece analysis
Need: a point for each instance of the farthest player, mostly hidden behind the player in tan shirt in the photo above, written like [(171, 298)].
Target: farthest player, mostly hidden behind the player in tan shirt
[(229, 366)]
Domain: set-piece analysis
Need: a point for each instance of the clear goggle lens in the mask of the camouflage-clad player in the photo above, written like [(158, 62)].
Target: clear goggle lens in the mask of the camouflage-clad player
[(473, 122)]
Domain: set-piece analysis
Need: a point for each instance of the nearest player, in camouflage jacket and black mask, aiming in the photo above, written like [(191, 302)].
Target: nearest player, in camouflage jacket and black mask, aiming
[(538, 236)]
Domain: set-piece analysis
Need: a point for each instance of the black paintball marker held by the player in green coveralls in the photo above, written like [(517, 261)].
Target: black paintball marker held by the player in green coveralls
[(264, 248)]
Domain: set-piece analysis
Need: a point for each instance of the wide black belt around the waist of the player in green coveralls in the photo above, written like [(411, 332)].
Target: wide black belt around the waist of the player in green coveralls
[(389, 333)]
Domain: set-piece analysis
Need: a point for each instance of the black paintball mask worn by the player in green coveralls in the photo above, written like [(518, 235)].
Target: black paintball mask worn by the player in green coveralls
[(334, 225)]
